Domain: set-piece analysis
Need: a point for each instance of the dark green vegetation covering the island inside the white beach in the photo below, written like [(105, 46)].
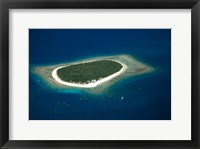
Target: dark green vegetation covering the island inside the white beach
[(88, 72)]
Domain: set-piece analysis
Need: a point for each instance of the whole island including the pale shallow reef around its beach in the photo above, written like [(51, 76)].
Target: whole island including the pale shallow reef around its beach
[(91, 74)]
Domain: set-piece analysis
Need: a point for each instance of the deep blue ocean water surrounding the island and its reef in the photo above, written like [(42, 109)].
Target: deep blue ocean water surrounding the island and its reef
[(145, 97)]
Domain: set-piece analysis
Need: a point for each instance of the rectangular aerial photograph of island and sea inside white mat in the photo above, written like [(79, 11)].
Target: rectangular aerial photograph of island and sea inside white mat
[(99, 74)]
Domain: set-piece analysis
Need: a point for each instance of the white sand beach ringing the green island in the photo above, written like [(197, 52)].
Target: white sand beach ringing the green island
[(89, 85)]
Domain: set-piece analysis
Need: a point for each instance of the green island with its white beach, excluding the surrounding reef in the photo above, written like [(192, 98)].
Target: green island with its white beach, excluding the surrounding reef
[(88, 74)]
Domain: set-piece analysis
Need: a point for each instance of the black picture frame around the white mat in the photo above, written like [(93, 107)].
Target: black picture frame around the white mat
[(5, 5)]
